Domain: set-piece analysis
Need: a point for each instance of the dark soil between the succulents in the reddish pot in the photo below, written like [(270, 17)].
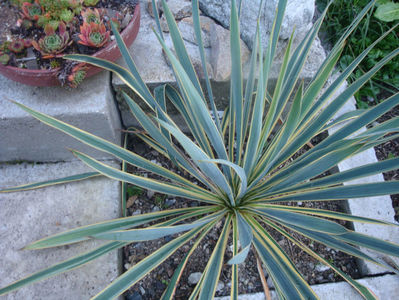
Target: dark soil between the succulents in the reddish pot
[(121, 9)]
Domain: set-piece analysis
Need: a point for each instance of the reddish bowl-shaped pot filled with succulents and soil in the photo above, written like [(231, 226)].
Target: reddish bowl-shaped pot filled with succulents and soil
[(64, 16)]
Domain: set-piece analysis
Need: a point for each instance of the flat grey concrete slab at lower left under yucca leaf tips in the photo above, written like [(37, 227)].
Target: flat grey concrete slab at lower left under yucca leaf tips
[(28, 216)]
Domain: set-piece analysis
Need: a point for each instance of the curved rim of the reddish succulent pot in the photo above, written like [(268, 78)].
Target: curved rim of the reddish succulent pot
[(99, 53)]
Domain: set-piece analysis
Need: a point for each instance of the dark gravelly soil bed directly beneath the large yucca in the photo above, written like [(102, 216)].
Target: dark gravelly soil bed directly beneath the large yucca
[(153, 285)]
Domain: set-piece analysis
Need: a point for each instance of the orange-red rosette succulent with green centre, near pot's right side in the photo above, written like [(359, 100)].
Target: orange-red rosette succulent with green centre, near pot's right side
[(93, 35)]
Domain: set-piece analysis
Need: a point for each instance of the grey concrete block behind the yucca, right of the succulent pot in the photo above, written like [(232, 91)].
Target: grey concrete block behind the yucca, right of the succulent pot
[(147, 54)]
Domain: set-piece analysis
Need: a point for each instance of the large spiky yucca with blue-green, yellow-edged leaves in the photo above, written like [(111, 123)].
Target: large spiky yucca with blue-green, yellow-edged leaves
[(244, 161)]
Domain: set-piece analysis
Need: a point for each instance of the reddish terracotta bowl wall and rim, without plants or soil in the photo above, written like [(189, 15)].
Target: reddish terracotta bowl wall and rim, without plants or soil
[(49, 77)]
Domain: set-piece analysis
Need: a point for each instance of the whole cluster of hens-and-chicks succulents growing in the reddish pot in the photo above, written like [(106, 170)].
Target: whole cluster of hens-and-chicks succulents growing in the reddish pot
[(61, 24)]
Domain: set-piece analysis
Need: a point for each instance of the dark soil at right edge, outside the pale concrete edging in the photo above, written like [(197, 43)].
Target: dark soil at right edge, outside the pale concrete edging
[(389, 150)]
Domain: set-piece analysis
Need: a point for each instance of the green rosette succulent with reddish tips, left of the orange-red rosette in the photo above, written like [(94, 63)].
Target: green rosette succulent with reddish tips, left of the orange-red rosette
[(53, 43)]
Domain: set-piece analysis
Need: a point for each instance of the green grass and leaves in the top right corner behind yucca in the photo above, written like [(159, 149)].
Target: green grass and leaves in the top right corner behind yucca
[(339, 16)]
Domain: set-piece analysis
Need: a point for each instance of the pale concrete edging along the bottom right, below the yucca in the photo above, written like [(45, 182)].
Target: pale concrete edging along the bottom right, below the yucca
[(385, 287)]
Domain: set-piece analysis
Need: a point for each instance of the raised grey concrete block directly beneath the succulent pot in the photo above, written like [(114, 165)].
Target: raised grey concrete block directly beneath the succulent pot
[(90, 107)]
